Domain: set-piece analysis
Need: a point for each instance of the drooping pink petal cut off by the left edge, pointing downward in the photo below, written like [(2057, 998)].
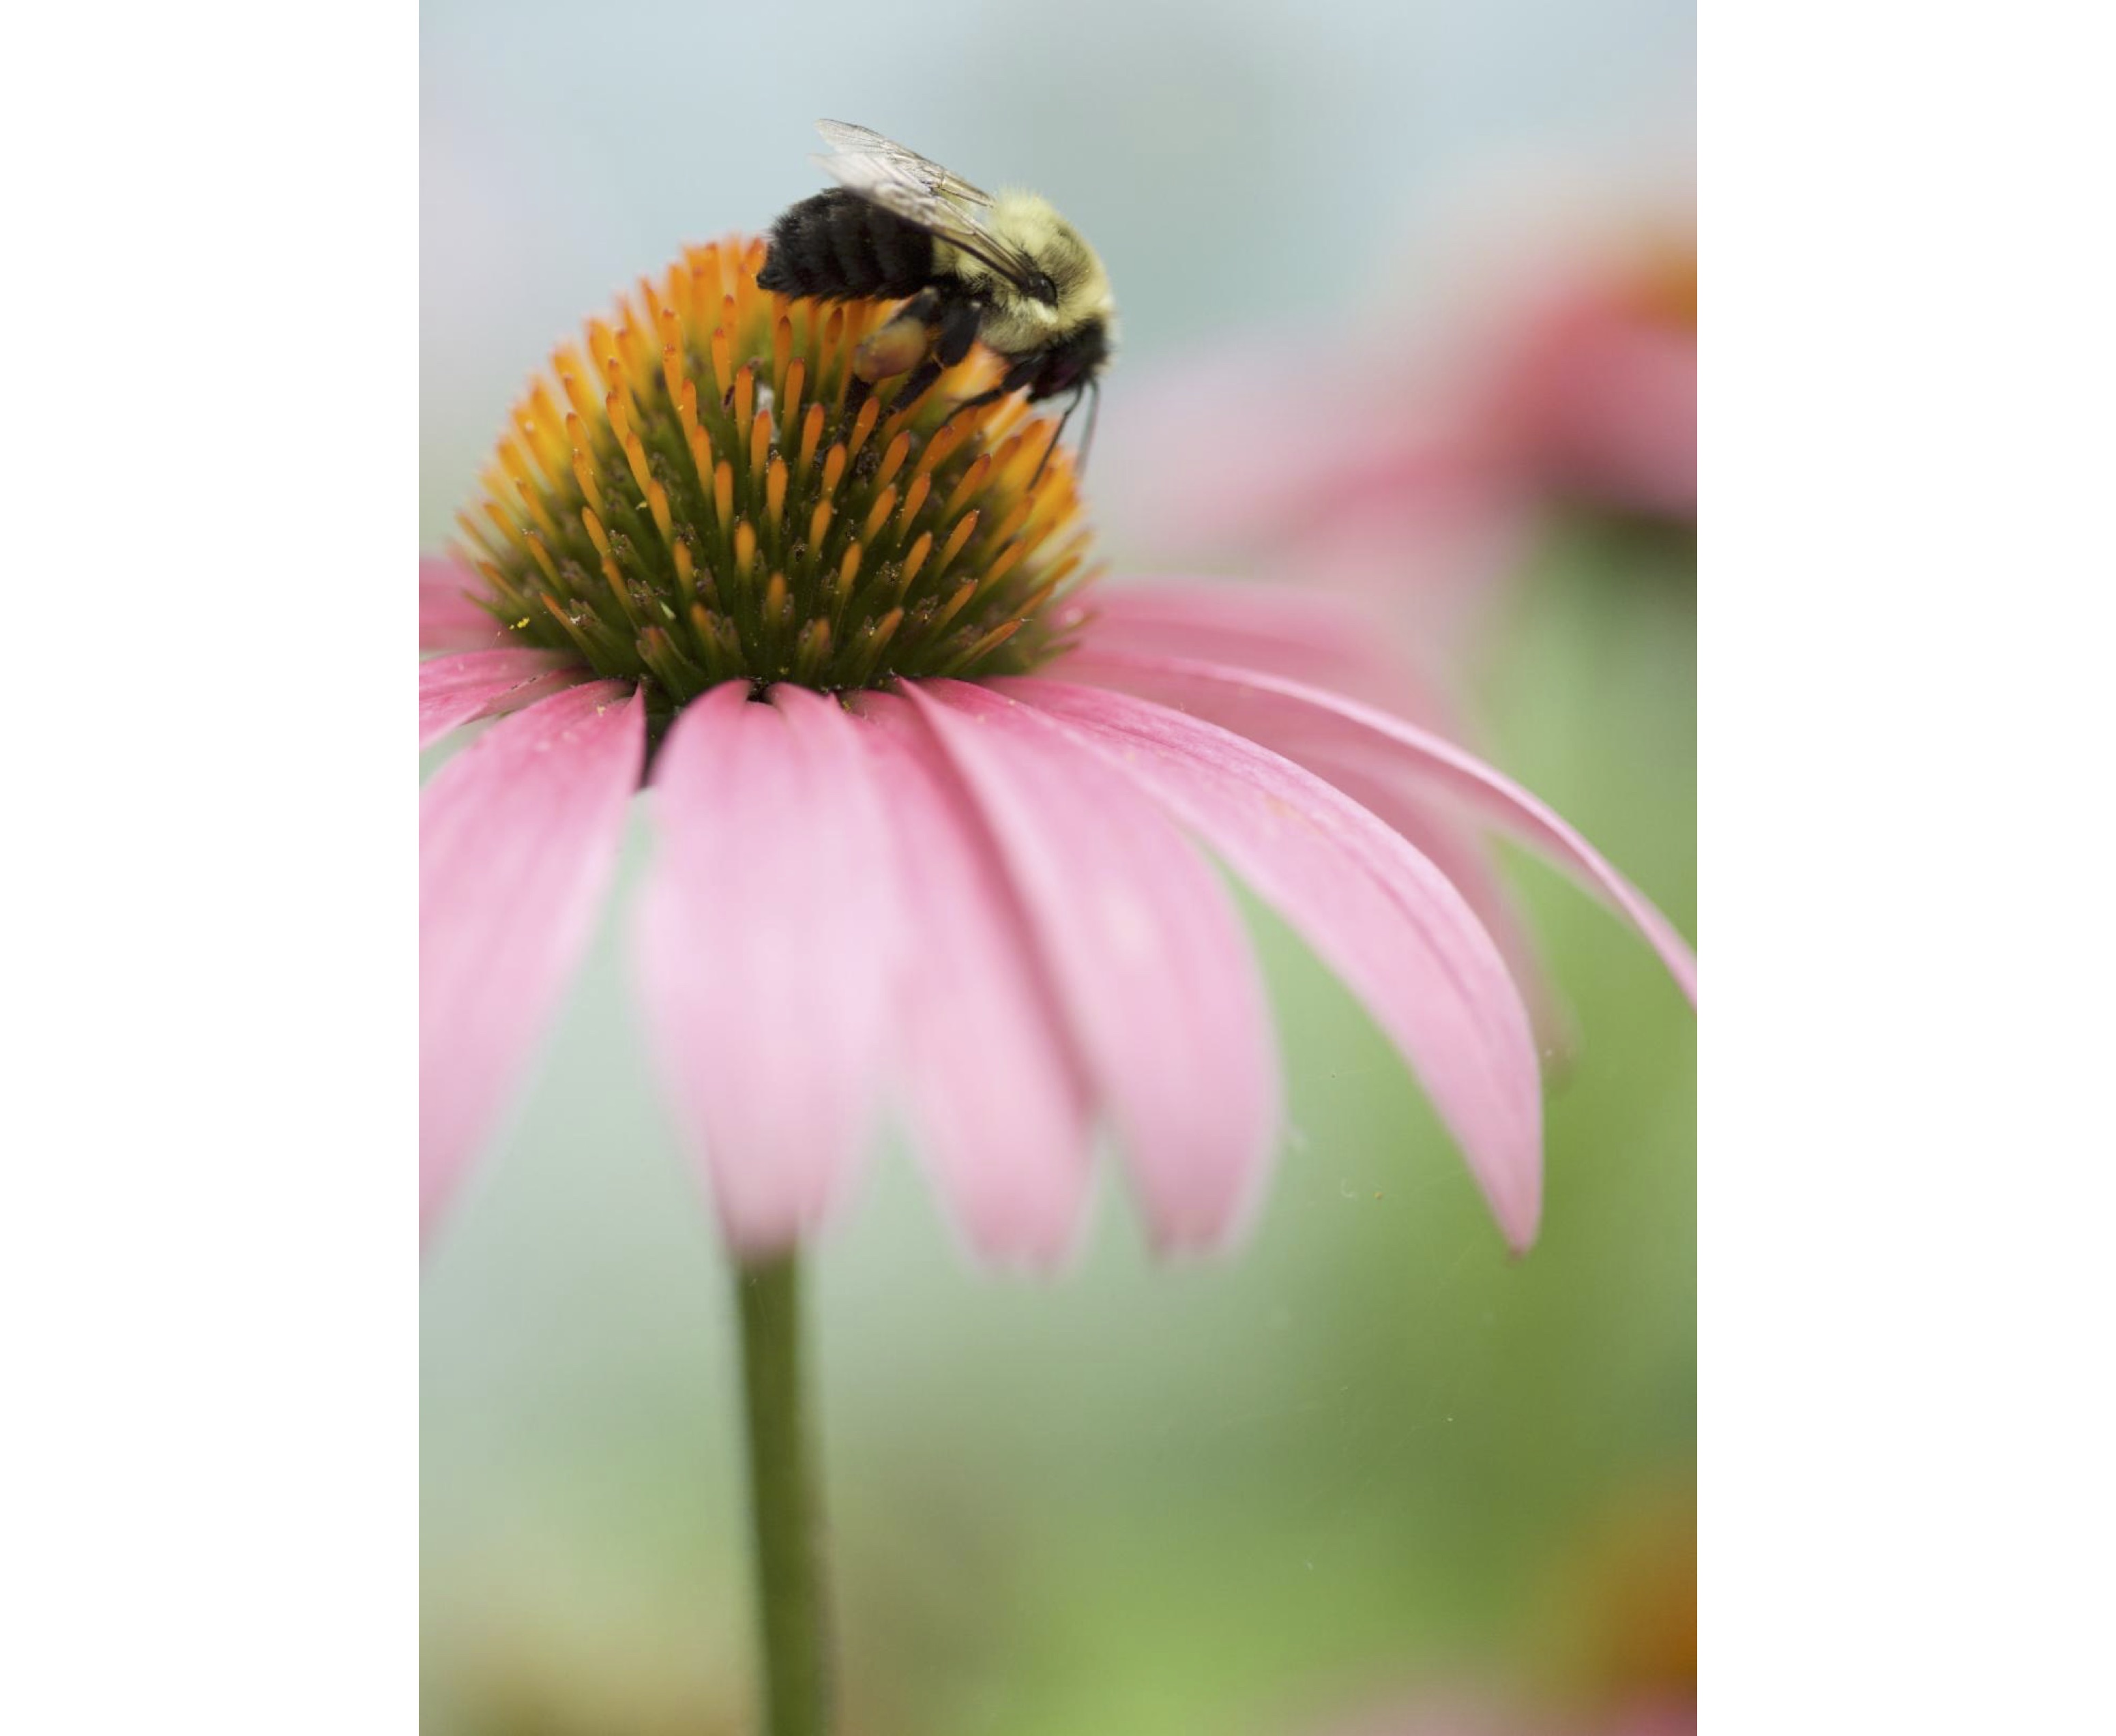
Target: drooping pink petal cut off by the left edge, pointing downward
[(517, 839)]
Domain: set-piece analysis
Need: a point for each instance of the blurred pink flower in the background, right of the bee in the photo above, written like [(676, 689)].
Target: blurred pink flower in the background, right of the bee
[(1417, 450)]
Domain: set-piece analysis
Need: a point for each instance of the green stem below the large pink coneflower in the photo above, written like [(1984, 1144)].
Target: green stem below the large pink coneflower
[(784, 1504)]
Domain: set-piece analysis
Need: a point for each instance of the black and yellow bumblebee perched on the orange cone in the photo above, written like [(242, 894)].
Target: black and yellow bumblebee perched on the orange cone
[(974, 266)]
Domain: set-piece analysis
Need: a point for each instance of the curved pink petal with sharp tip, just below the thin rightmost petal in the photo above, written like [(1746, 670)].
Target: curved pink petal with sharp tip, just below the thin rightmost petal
[(1379, 914)]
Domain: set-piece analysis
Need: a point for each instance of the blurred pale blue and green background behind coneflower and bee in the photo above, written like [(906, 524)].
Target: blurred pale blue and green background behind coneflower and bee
[(1370, 1472)]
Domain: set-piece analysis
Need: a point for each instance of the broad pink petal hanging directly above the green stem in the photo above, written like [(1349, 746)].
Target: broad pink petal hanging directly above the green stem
[(767, 952)]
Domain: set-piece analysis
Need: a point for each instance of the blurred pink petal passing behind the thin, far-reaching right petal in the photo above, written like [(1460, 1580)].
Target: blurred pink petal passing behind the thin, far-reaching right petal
[(1330, 645)]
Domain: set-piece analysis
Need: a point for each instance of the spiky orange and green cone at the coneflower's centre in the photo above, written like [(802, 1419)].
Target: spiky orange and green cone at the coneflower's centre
[(706, 492)]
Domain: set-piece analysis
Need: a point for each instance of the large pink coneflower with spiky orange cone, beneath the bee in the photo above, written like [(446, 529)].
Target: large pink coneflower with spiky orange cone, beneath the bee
[(936, 820)]
